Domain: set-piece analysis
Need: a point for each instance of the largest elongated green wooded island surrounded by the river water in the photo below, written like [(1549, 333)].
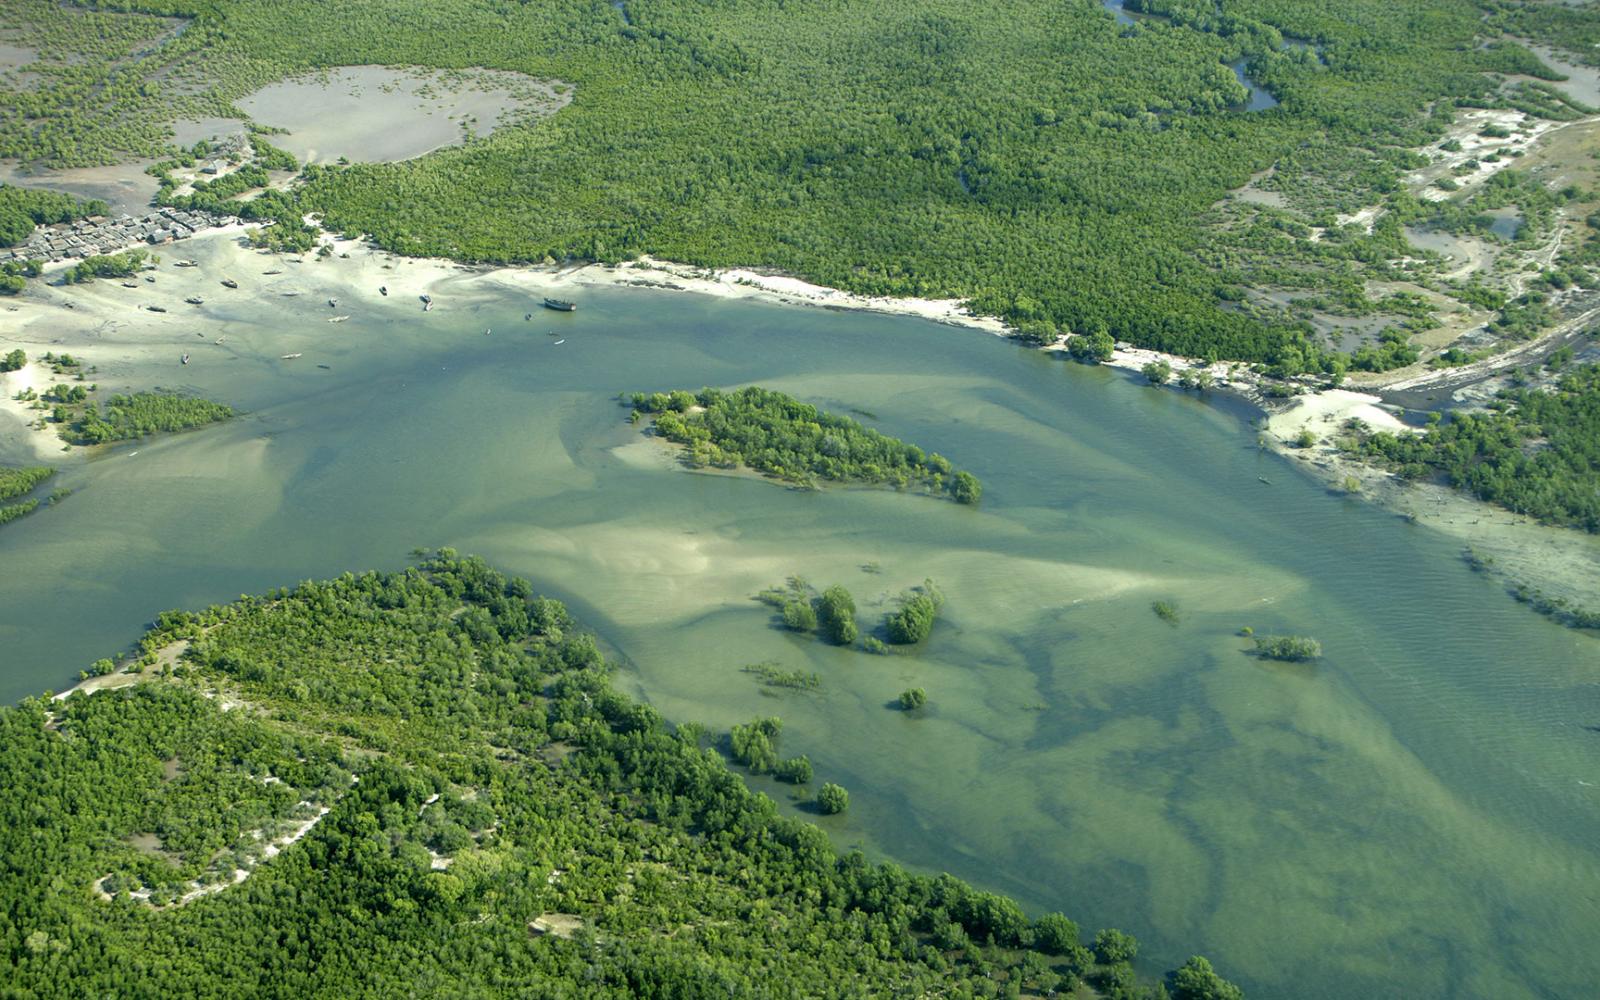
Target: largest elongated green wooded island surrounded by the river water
[(796, 442)]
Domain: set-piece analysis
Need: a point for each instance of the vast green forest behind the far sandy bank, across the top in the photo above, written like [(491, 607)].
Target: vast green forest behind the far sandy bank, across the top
[(1049, 166)]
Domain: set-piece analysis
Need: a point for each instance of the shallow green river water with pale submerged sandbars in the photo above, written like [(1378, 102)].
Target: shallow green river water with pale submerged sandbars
[(1414, 817)]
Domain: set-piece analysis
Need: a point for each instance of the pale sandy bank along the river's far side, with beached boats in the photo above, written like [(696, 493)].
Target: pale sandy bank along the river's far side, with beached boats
[(118, 332)]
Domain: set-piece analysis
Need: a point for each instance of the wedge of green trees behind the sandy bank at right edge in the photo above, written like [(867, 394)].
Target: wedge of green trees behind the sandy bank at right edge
[(1535, 452)]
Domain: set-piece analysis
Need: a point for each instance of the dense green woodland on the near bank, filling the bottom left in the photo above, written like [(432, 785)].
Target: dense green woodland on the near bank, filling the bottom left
[(500, 822)]
